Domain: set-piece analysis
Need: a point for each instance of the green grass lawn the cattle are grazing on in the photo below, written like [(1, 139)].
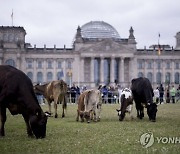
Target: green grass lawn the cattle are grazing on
[(107, 136)]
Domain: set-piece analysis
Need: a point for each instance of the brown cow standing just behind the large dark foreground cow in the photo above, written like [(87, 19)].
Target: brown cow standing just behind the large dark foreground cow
[(54, 91)]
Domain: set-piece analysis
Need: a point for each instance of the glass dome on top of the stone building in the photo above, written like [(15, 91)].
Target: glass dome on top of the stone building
[(98, 29)]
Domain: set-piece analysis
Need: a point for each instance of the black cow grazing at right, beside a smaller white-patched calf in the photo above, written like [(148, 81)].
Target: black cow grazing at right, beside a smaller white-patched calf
[(143, 95)]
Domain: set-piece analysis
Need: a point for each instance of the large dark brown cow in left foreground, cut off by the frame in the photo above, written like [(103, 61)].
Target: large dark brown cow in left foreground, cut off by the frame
[(16, 94)]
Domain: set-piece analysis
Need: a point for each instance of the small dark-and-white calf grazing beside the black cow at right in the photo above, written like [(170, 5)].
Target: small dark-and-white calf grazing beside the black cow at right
[(126, 103)]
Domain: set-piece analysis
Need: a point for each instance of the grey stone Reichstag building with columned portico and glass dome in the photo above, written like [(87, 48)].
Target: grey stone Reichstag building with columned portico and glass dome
[(98, 56)]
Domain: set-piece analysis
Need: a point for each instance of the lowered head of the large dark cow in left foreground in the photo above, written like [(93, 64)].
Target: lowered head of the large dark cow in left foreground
[(38, 125)]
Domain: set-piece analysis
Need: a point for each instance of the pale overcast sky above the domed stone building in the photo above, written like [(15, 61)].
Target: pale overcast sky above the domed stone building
[(55, 21)]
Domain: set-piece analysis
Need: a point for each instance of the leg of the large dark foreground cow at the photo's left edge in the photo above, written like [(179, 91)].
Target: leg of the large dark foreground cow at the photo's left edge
[(3, 120)]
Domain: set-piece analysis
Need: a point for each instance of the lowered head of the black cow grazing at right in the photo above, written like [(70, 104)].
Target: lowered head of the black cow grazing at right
[(151, 111)]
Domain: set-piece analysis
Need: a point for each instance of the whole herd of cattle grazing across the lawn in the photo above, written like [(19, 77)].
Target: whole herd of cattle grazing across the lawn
[(18, 94)]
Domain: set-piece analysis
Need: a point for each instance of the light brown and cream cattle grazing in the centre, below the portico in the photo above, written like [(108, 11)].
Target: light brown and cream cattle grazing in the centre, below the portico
[(89, 105)]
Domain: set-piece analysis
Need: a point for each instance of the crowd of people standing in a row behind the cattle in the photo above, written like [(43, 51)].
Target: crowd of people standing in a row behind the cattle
[(111, 94)]
